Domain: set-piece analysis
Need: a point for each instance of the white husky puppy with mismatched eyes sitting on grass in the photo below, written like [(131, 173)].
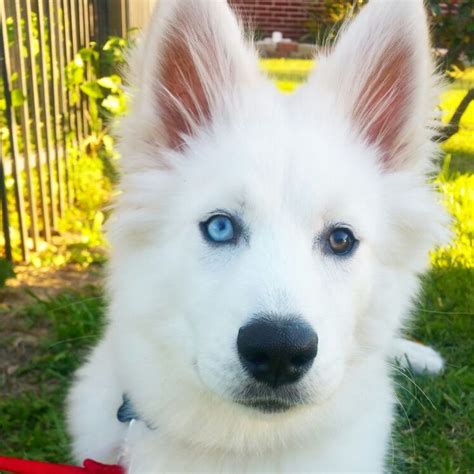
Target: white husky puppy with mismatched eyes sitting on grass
[(265, 250)]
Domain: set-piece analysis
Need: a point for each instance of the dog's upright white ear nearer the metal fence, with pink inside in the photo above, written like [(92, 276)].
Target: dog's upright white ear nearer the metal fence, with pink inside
[(193, 59)]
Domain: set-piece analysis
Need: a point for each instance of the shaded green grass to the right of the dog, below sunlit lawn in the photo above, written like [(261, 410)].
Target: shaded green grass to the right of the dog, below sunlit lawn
[(435, 430)]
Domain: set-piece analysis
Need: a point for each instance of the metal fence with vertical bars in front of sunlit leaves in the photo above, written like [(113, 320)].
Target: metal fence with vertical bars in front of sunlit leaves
[(39, 120)]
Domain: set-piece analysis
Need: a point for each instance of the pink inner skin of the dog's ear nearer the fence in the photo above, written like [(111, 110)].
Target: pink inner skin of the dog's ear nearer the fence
[(182, 97)]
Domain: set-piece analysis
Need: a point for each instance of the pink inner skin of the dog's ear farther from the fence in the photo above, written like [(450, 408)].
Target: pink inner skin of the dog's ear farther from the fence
[(382, 107)]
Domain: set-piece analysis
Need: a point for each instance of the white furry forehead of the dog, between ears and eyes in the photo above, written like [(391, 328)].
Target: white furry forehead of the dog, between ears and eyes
[(271, 160)]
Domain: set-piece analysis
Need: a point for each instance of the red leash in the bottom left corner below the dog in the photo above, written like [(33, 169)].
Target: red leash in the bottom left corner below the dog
[(21, 466)]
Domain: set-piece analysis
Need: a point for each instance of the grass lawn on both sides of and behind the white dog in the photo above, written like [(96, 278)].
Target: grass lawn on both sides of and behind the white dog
[(435, 429)]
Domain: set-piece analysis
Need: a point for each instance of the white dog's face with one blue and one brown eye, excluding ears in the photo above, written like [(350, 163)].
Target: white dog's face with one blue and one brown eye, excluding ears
[(275, 260)]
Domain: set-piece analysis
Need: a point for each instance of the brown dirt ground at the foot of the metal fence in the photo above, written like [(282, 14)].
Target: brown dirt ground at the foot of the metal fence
[(19, 340)]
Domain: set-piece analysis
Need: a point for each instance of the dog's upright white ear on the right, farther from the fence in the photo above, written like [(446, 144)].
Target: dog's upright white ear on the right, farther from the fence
[(381, 75)]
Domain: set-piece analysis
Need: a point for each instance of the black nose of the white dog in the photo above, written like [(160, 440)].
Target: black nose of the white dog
[(277, 351)]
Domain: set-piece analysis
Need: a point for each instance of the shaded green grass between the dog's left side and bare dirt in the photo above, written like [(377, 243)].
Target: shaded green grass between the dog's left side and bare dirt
[(32, 423)]
